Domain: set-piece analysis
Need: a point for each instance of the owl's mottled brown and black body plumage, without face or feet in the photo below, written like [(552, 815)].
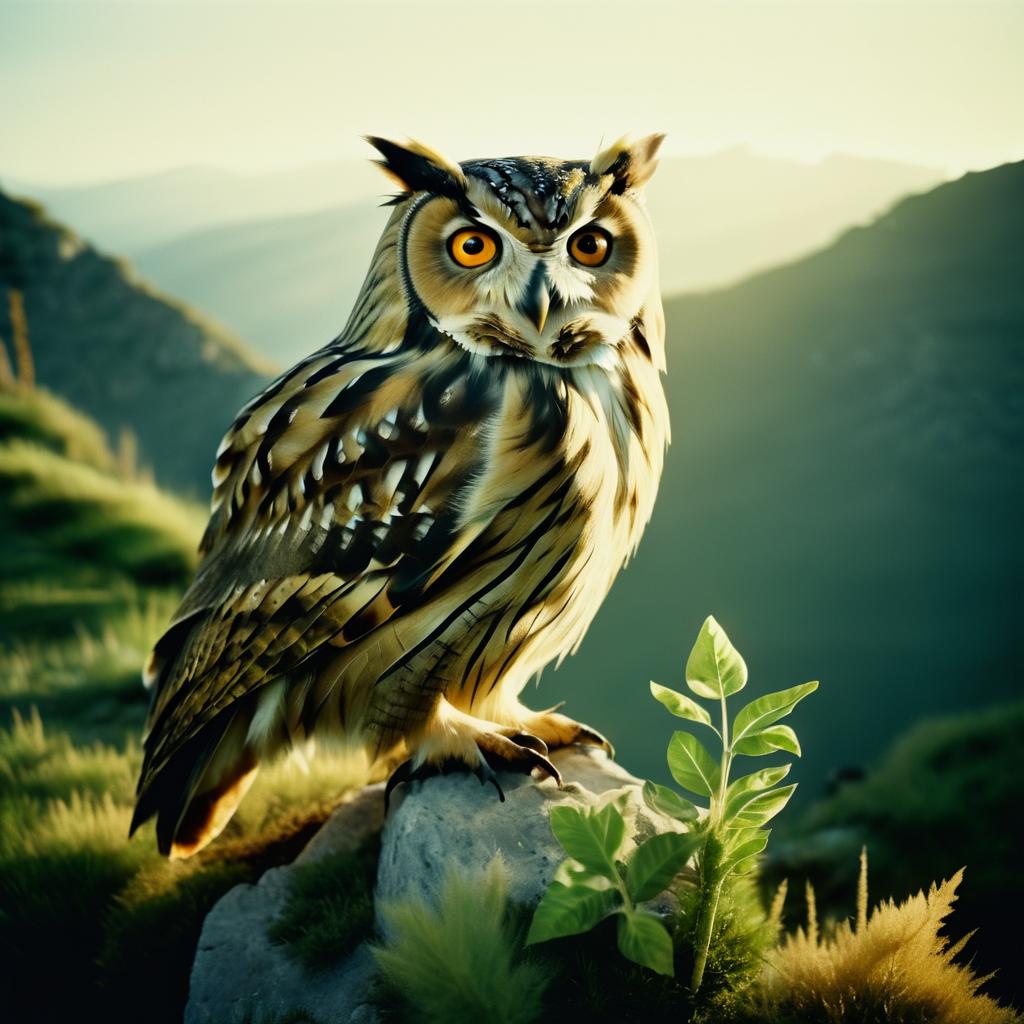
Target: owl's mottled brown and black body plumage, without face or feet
[(402, 524)]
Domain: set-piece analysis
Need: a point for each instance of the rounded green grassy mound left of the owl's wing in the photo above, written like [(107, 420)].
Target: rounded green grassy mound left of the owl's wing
[(80, 537)]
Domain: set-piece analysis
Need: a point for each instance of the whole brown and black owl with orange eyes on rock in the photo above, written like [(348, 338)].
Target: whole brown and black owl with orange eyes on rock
[(413, 522)]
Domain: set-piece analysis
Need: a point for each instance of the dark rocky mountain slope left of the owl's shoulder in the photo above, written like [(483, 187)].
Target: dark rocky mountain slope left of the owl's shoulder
[(122, 353)]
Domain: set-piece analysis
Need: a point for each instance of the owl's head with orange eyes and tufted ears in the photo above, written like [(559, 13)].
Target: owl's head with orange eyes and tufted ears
[(551, 261)]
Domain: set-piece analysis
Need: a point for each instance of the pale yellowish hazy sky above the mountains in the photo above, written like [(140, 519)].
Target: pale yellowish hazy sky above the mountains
[(103, 91)]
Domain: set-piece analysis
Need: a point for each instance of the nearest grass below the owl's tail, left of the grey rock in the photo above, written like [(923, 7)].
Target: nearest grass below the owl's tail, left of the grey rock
[(116, 920)]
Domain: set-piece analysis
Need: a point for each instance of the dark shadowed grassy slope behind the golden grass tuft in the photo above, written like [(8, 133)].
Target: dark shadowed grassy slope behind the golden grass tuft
[(956, 777)]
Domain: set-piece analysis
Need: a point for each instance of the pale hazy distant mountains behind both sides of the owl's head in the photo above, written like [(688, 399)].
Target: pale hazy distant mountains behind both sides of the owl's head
[(280, 259)]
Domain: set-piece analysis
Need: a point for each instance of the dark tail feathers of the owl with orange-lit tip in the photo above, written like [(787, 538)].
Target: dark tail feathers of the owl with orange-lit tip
[(194, 797)]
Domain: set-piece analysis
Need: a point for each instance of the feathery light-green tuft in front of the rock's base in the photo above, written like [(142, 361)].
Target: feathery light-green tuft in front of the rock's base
[(456, 962)]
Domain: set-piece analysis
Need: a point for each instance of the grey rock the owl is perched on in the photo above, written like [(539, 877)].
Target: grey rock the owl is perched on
[(240, 975)]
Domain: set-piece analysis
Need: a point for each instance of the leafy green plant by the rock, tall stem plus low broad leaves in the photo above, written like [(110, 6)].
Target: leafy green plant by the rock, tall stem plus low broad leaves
[(596, 883)]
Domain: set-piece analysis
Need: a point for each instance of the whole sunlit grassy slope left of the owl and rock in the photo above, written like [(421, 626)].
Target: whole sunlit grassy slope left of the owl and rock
[(95, 562)]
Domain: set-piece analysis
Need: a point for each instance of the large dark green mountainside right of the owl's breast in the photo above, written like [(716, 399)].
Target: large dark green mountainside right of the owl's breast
[(845, 488)]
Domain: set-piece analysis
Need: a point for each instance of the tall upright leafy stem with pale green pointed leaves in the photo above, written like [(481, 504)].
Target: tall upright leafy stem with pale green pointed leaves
[(732, 833)]
